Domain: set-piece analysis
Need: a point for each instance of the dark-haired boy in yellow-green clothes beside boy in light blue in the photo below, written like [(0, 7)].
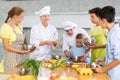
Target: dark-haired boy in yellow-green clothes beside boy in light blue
[(97, 32)]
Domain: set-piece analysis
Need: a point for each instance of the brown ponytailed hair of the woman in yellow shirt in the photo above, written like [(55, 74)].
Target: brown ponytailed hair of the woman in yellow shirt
[(14, 11)]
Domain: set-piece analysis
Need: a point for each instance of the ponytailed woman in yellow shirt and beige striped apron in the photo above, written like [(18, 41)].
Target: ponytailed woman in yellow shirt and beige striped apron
[(12, 38)]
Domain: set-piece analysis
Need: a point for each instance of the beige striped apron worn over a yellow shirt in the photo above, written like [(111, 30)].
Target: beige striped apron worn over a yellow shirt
[(14, 59)]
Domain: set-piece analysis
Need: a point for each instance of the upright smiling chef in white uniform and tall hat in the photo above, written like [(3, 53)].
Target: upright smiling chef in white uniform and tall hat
[(43, 36)]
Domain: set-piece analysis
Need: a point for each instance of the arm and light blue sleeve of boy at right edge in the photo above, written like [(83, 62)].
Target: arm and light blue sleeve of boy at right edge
[(115, 41)]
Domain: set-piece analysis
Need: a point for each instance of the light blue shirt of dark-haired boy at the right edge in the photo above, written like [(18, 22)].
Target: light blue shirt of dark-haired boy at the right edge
[(113, 51)]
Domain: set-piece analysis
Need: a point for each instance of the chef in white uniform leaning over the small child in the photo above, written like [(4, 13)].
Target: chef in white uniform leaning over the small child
[(71, 30)]
